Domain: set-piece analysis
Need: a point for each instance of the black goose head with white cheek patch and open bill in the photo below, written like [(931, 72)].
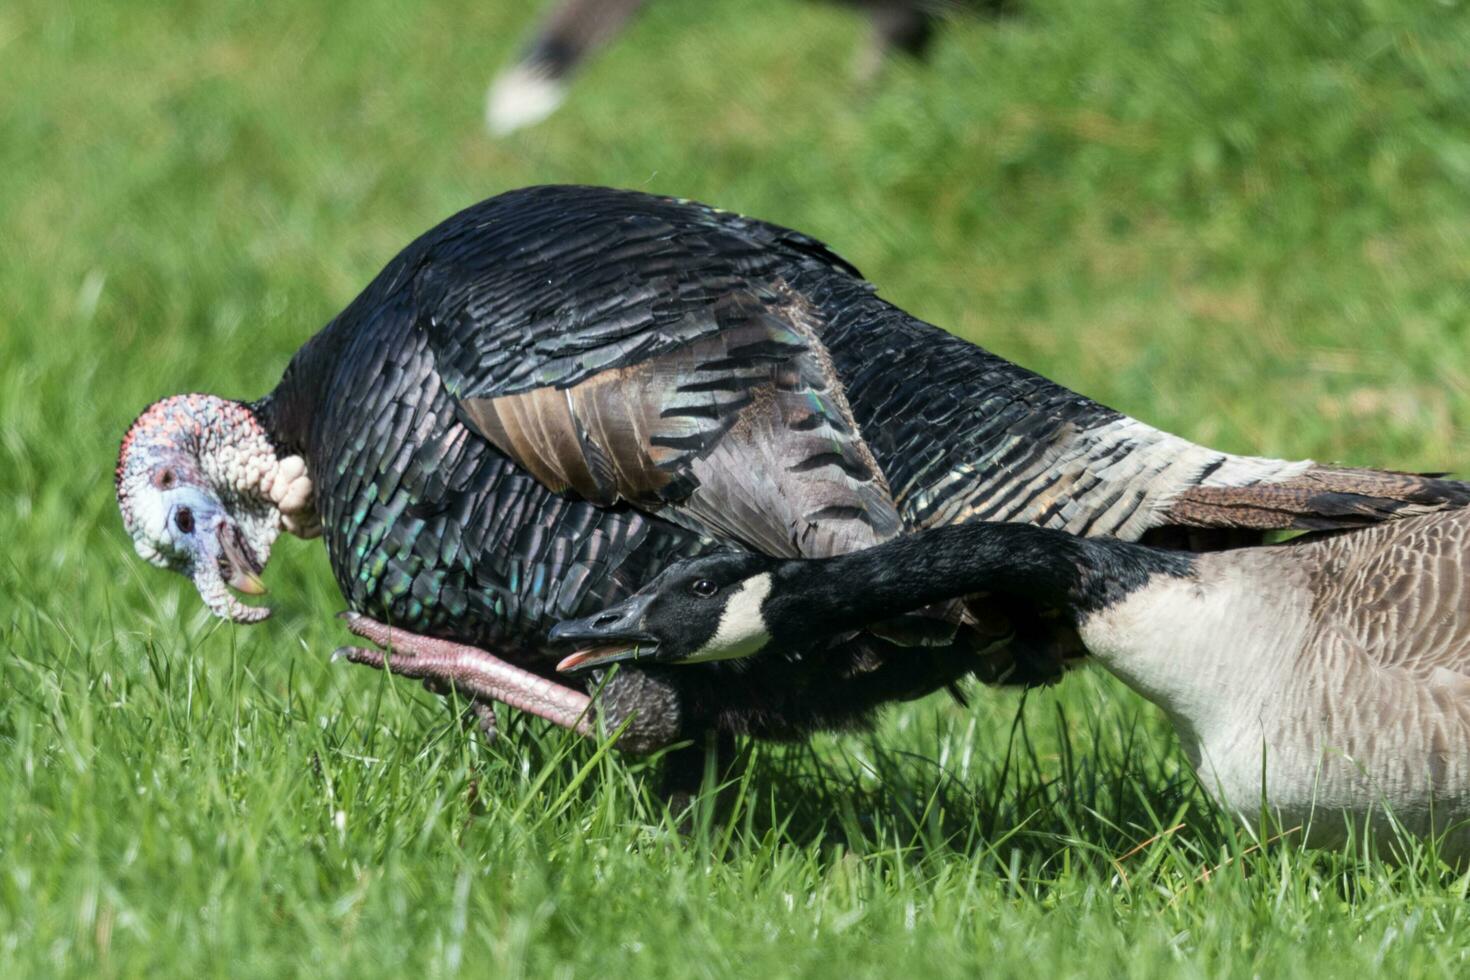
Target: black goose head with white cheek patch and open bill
[(703, 609)]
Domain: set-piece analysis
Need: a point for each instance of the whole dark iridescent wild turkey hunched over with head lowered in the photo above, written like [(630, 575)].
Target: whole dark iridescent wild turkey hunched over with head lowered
[(556, 393)]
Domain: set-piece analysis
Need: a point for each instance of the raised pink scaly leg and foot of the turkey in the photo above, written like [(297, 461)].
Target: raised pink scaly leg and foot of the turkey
[(477, 674)]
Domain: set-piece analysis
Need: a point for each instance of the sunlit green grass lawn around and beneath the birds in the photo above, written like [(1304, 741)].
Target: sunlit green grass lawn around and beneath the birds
[(1240, 221)]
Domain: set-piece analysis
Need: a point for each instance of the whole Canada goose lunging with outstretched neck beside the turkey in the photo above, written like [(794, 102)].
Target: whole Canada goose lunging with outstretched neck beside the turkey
[(1337, 666)]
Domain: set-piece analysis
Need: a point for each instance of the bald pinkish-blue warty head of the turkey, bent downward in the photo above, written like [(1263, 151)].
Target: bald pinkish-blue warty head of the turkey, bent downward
[(202, 493)]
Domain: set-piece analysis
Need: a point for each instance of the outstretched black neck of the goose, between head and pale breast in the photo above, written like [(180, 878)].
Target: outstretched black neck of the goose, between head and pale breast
[(1041, 566)]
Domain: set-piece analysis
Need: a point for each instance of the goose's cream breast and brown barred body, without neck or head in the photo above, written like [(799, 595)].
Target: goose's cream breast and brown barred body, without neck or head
[(1327, 680)]
